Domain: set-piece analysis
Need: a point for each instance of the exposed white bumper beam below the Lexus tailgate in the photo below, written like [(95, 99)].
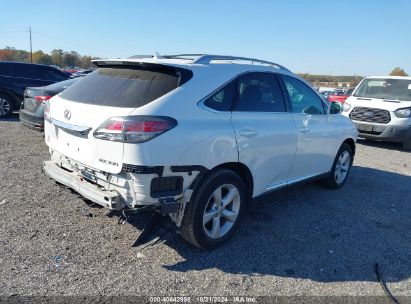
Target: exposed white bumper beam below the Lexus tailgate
[(108, 199)]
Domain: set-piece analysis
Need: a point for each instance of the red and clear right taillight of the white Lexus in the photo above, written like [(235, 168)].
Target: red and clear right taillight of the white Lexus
[(134, 129)]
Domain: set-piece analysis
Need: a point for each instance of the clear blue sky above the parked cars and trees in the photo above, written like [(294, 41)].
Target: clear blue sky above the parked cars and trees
[(361, 37)]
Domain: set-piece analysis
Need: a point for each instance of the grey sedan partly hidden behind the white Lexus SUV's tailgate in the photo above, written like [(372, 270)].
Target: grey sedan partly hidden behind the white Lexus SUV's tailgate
[(32, 108)]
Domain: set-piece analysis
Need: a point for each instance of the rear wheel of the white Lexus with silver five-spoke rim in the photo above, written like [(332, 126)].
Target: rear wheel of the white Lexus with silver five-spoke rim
[(215, 209)]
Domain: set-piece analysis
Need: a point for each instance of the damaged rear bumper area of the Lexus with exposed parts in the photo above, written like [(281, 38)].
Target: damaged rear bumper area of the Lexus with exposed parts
[(133, 187)]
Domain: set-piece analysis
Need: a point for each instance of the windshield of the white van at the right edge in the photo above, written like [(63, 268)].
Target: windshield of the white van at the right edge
[(393, 89)]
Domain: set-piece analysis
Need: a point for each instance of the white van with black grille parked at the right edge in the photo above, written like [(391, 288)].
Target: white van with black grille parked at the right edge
[(380, 107)]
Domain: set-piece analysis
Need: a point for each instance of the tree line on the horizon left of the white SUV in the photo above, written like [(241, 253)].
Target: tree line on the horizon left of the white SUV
[(56, 57)]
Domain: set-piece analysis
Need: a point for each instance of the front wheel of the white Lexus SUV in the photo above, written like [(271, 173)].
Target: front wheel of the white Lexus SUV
[(340, 169)]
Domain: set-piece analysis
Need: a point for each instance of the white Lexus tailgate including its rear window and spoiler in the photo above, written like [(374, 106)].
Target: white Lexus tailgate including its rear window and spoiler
[(112, 91)]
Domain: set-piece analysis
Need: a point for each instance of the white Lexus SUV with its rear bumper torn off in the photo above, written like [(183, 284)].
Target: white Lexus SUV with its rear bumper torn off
[(193, 136)]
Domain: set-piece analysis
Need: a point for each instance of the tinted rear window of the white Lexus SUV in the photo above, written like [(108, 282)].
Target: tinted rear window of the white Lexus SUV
[(127, 87)]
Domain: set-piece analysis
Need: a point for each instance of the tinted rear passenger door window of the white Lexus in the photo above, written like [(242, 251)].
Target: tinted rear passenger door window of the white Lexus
[(259, 92)]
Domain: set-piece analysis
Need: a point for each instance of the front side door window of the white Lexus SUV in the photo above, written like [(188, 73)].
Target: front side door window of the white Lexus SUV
[(303, 99)]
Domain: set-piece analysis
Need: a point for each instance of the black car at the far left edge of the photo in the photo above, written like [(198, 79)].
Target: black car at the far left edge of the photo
[(15, 77)]
